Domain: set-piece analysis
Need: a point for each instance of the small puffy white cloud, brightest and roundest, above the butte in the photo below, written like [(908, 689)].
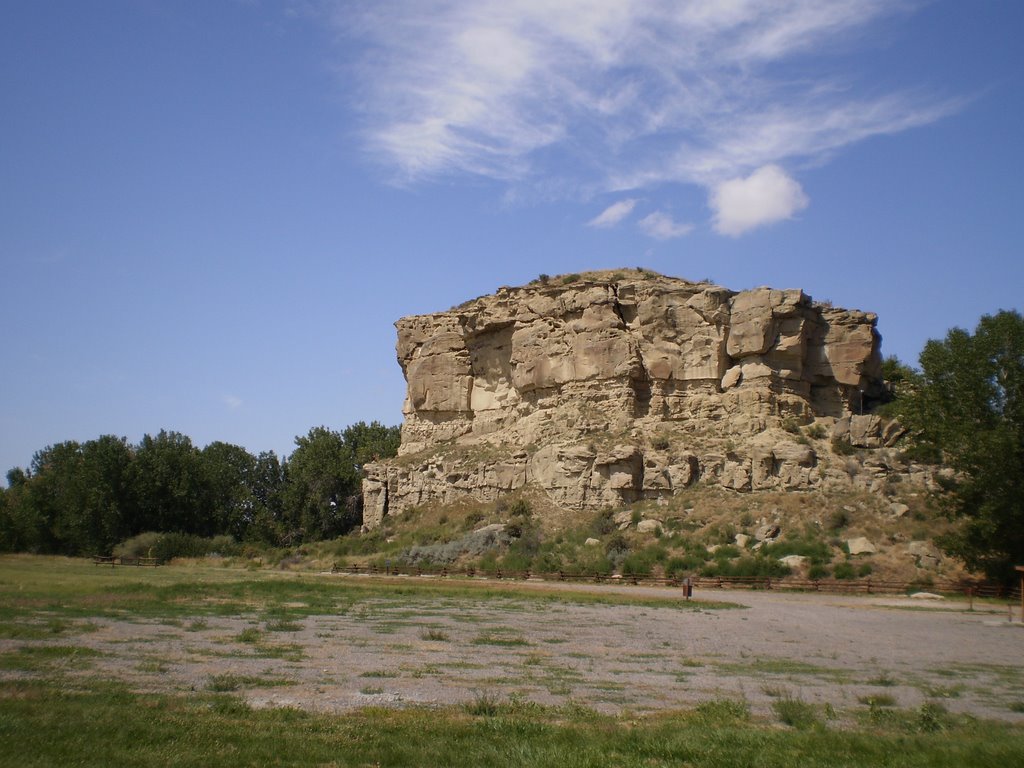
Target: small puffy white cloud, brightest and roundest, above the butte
[(765, 197)]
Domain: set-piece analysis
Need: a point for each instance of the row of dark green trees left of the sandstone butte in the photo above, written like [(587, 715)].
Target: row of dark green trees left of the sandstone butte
[(86, 498)]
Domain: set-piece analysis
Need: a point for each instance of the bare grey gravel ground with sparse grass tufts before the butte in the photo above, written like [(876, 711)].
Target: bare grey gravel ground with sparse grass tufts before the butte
[(423, 650)]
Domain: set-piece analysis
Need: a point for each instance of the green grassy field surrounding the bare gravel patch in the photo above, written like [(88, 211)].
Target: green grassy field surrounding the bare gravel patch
[(57, 710)]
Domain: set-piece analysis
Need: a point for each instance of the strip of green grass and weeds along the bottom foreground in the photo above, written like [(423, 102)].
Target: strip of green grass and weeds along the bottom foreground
[(223, 731)]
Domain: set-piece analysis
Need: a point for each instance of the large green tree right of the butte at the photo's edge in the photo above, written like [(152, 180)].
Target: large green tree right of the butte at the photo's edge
[(968, 406)]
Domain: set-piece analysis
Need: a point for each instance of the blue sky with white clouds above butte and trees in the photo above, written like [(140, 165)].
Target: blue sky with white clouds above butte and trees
[(211, 214)]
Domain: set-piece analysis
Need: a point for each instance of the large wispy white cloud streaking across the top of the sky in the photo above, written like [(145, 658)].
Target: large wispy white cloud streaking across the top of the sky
[(586, 97)]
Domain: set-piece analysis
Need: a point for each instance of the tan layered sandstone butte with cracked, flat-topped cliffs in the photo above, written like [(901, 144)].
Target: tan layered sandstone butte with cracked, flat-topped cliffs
[(613, 388)]
